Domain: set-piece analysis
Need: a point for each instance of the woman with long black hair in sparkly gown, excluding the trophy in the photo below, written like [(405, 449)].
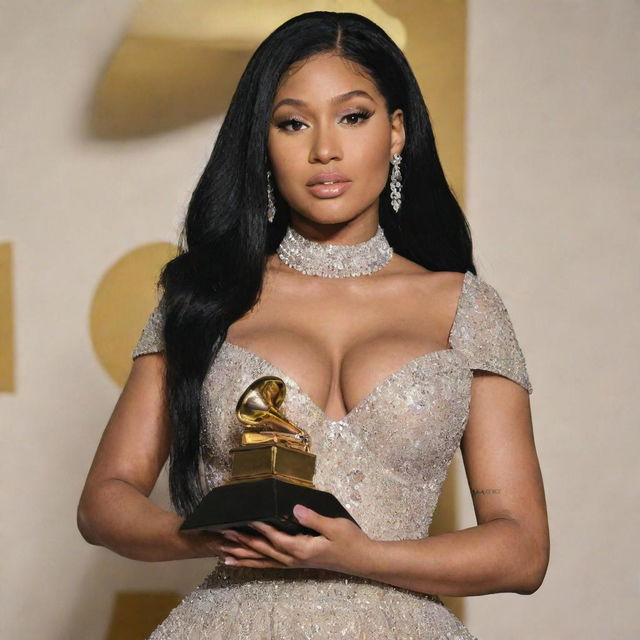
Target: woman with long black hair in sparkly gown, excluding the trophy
[(394, 353)]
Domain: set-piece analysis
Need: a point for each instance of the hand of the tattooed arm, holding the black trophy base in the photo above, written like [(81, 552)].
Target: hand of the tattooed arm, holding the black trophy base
[(342, 545)]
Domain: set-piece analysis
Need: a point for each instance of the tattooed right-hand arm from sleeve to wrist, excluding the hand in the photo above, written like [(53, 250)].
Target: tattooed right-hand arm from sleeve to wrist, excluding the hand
[(508, 551)]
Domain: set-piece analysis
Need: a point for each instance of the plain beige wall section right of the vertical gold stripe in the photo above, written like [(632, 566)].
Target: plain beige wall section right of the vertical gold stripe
[(552, 194)]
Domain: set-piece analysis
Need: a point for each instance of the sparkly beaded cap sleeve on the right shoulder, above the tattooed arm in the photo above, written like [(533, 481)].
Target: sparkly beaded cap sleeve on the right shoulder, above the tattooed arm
[(483, 331)]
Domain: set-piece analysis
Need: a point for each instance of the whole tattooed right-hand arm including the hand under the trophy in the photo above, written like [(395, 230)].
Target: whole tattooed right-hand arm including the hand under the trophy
[(507, 551)]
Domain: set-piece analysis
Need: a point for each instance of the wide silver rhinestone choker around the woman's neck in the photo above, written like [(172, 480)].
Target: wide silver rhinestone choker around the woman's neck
[(334, 260)]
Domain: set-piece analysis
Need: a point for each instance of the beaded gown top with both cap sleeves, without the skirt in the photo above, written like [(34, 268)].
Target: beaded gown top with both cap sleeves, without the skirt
[(395, 446)]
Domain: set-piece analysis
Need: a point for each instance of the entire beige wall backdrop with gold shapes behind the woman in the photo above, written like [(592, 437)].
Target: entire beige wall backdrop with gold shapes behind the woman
[(102, 140)]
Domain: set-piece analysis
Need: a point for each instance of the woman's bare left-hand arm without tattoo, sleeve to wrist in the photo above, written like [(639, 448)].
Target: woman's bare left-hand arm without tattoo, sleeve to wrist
[(115, 510)]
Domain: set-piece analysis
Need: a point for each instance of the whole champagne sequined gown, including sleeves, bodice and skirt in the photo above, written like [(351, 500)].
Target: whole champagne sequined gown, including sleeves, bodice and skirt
[(386, 461)]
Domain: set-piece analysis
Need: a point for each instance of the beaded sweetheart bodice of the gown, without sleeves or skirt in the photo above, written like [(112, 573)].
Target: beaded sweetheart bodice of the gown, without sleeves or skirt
[(390, 450)]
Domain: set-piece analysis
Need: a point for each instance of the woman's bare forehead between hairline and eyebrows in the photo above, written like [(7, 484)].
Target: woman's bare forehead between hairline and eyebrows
[(323, 76)]
